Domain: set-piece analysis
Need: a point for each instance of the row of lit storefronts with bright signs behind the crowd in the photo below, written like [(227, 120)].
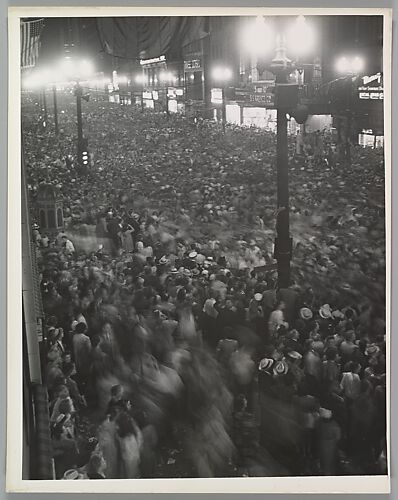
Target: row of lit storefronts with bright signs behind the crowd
[(186, 84)]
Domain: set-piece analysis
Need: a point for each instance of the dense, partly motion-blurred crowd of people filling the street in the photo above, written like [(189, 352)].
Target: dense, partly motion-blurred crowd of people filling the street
[(170, 349)]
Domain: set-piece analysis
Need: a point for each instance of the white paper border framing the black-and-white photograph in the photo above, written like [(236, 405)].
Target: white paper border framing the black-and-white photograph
[(14, 482)]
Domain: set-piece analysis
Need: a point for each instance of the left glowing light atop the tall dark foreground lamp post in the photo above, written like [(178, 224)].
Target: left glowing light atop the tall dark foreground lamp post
[(258, 37)]
